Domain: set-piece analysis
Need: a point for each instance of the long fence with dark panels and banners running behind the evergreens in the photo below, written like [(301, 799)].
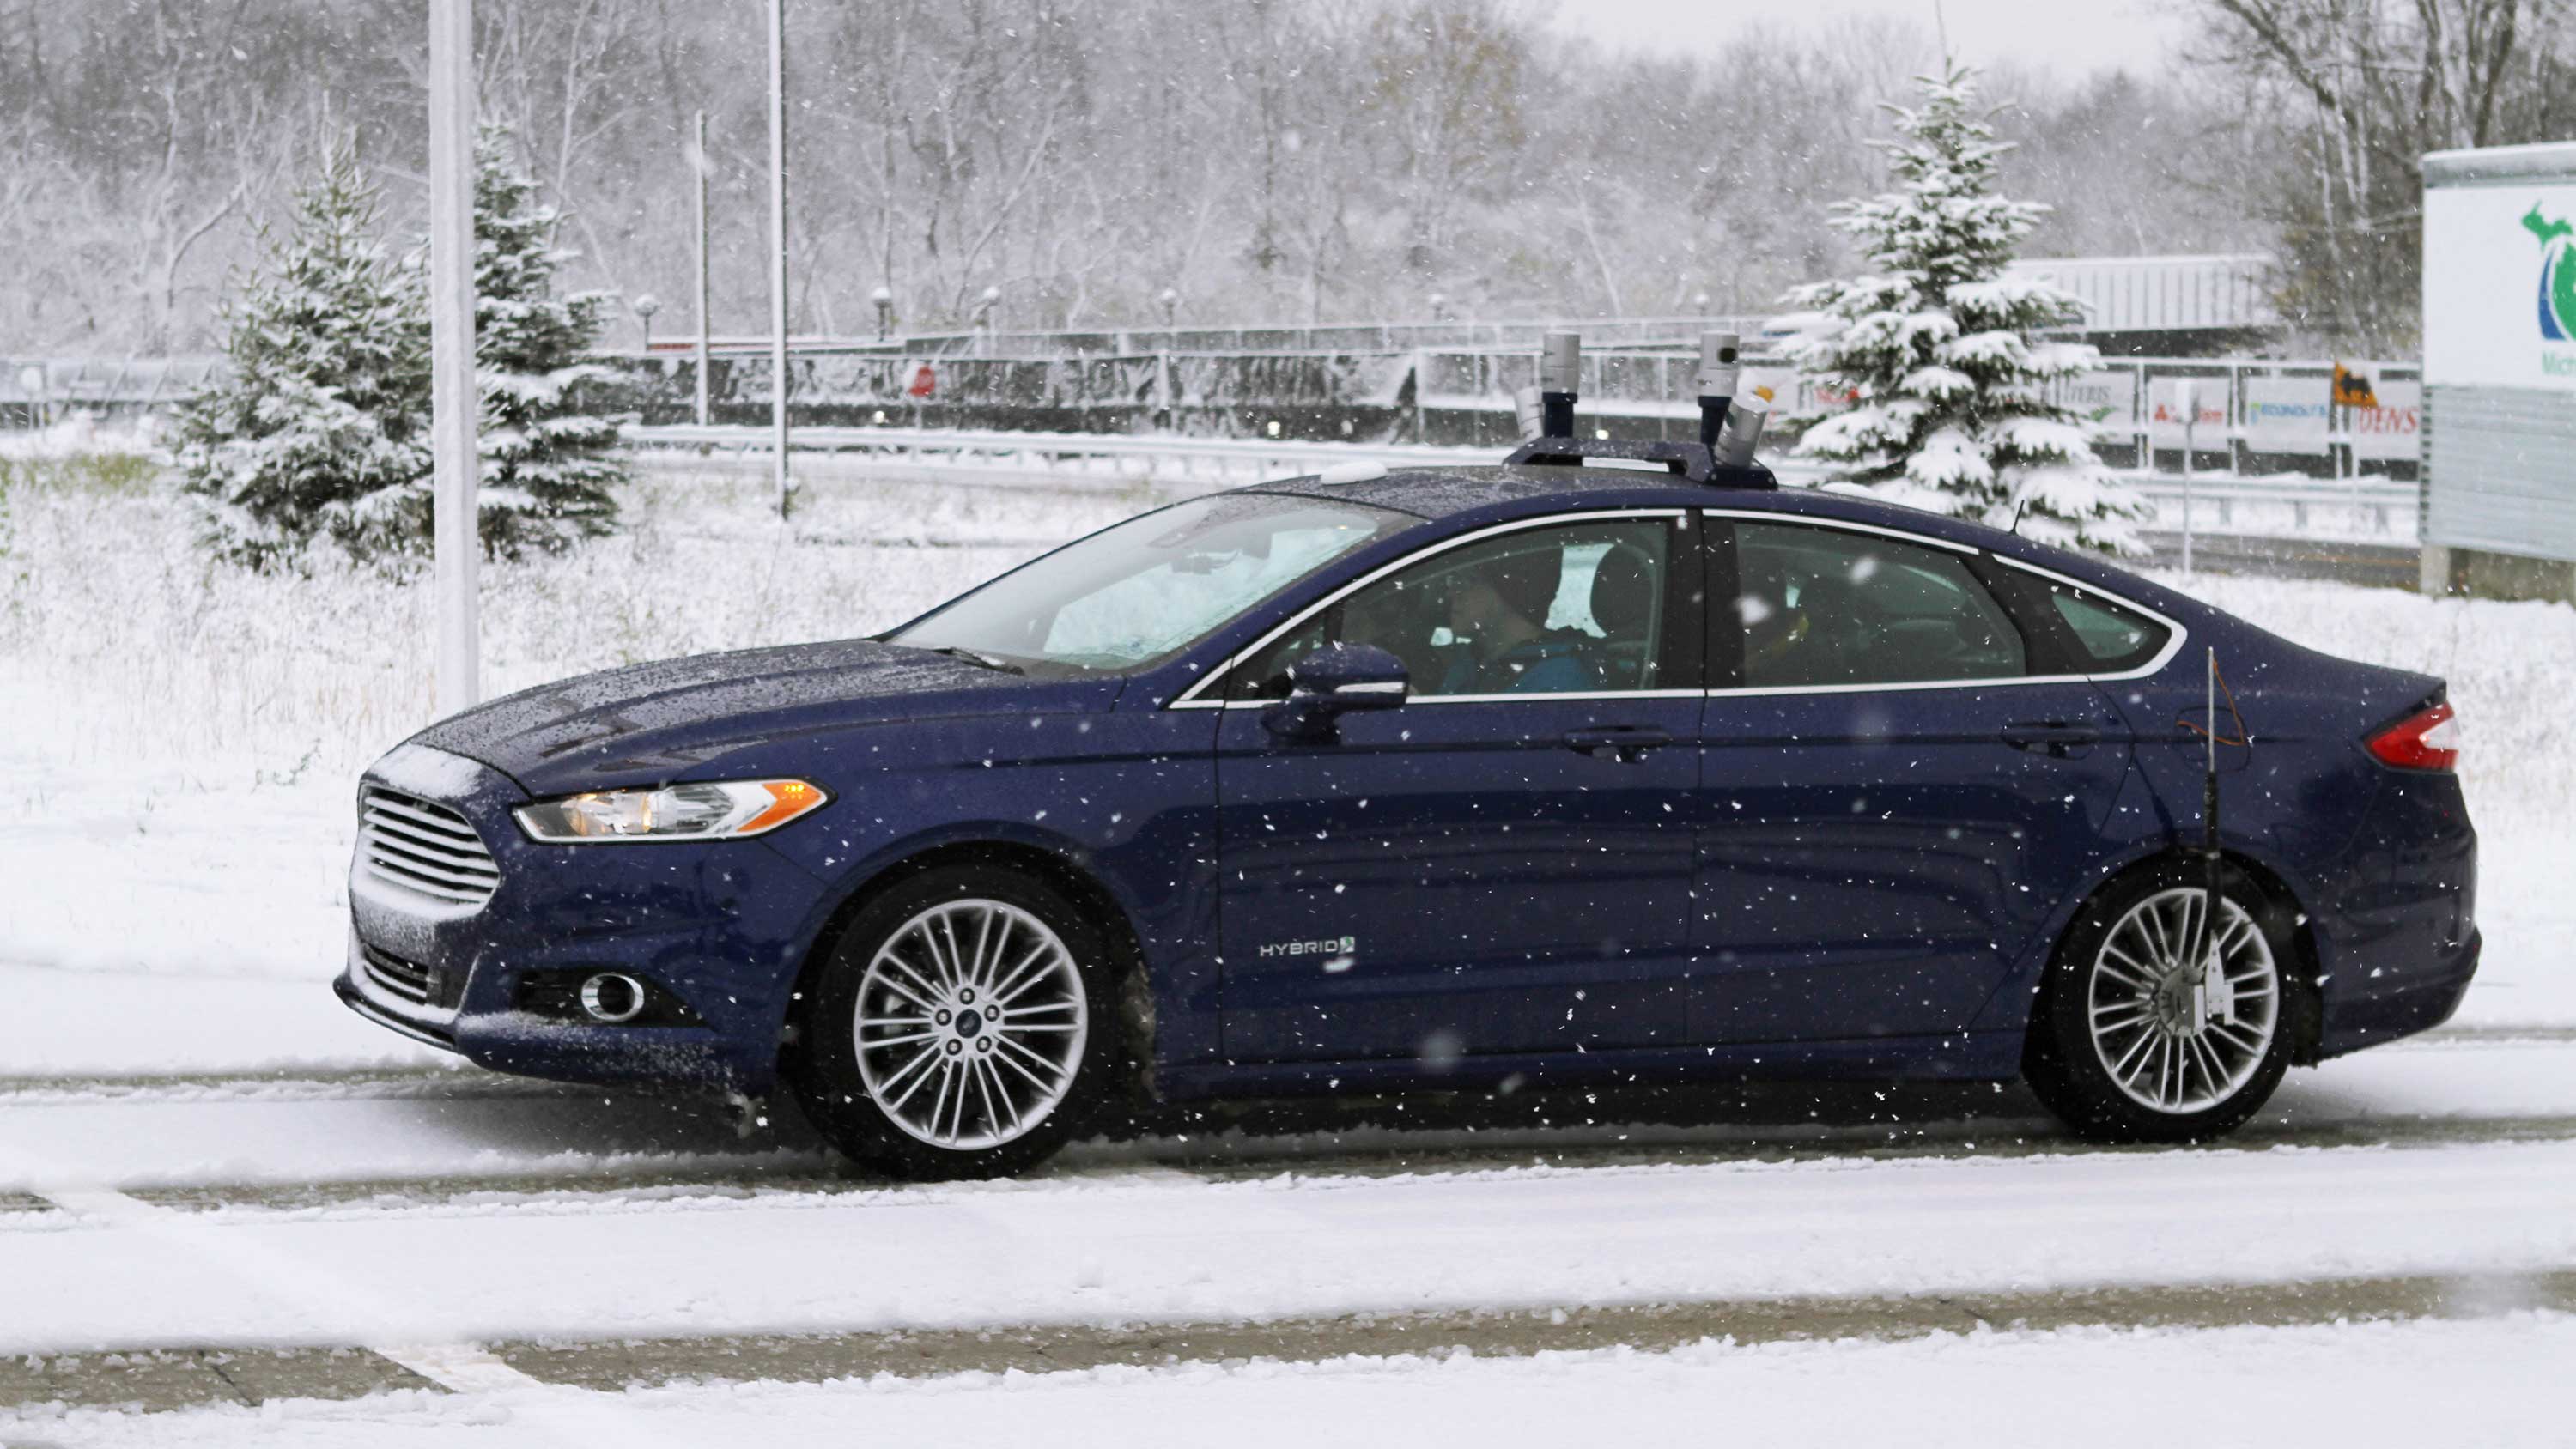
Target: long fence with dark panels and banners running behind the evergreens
[(2248, 416)]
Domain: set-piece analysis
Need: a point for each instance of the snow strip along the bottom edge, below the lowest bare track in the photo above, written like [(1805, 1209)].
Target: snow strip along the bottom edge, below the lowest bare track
[(2376, 1383)]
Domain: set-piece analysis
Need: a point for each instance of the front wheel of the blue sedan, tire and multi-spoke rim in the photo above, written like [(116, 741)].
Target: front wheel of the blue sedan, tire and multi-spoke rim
[(926, 959)]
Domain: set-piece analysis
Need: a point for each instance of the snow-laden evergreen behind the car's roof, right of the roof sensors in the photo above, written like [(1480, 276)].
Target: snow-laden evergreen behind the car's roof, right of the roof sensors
[(1938, 346)]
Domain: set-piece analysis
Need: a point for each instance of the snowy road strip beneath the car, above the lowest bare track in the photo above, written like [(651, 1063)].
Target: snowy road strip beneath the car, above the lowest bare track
[(460, 1208)]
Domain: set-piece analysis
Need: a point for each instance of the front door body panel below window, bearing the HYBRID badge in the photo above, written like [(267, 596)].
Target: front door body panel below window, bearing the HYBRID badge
[(1457, 879)]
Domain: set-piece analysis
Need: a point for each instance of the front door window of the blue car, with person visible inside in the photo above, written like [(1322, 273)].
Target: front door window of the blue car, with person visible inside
[(1542, 611)]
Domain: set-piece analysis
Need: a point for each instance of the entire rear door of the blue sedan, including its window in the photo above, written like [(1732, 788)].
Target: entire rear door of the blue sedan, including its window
[(1900, 784)]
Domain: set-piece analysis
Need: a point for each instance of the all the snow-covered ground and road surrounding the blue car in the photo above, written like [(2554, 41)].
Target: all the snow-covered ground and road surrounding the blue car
[(205, 1152)]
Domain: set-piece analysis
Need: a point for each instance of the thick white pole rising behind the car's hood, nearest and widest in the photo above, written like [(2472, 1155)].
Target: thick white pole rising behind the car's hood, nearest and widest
[(455, 539)]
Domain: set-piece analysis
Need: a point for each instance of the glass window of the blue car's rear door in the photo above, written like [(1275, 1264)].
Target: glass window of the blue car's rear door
[(1823, 606)]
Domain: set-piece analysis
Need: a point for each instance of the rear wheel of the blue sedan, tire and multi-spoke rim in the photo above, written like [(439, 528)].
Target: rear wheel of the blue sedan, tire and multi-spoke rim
[(2119, 1046)]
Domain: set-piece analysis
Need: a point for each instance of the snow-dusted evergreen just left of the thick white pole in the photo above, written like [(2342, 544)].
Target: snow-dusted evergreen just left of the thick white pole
[(321, 426)]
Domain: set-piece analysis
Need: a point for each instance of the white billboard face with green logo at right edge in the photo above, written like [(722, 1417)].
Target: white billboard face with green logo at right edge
[(2500, 287)]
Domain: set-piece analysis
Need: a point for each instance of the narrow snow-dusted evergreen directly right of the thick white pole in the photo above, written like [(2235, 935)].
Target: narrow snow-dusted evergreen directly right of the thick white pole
[(545, 462)]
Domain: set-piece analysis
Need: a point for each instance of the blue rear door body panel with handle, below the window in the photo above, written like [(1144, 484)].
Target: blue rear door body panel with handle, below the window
[(1879, 863)]
